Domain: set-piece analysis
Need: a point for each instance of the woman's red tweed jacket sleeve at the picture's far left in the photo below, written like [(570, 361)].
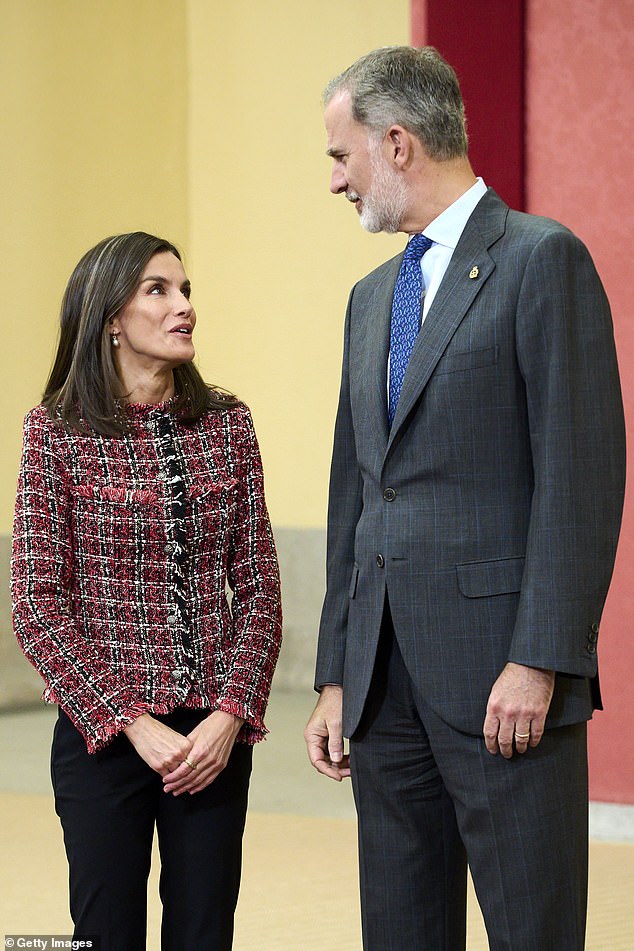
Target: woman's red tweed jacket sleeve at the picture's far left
[(43, 616)]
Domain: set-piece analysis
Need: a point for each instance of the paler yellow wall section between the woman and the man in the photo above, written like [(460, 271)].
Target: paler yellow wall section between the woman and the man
[(273, 253)]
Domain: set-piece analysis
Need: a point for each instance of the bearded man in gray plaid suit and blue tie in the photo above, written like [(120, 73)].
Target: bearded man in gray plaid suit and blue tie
[(475, 501)]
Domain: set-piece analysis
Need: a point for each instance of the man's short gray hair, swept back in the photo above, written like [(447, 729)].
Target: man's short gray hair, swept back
[(415, 88)]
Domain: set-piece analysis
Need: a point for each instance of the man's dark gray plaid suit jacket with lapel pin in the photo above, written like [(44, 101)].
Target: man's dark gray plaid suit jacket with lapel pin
[(490, 512)]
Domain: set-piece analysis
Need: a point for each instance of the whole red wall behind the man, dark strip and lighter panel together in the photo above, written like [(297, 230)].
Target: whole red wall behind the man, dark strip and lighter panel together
[(547, 90)]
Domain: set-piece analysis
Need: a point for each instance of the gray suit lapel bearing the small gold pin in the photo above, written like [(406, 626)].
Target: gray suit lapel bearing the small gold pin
[(469, 269)]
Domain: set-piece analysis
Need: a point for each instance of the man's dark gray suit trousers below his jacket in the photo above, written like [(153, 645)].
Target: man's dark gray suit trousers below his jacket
[(430, 799)]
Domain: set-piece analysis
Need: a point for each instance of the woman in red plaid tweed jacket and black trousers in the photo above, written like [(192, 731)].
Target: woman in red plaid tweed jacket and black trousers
[(140, 501)]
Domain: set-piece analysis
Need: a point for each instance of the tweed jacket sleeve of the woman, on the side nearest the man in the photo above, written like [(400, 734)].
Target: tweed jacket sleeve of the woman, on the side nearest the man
[(253, 576)]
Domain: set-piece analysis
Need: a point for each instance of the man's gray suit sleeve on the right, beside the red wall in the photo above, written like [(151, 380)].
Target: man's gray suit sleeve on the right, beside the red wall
[(566, 354)]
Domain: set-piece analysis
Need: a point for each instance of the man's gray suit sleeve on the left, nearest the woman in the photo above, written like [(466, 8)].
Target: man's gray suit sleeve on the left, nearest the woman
[(345, 503)]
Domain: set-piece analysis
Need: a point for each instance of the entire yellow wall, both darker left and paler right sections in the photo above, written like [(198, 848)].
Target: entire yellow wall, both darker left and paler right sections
[(199, 120)]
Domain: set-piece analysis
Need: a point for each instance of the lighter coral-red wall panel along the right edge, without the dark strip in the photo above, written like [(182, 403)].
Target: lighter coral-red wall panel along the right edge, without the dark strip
[(580, 139)]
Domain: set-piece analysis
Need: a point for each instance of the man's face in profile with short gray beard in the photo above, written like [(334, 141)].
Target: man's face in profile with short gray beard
[(361, 171)]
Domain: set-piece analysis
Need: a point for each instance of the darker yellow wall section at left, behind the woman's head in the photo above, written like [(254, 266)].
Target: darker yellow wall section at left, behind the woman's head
[(93, 98)]
